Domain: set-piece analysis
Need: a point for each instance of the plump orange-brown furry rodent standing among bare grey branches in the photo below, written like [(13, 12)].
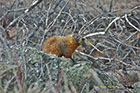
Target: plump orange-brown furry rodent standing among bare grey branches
[(61, 45)]
